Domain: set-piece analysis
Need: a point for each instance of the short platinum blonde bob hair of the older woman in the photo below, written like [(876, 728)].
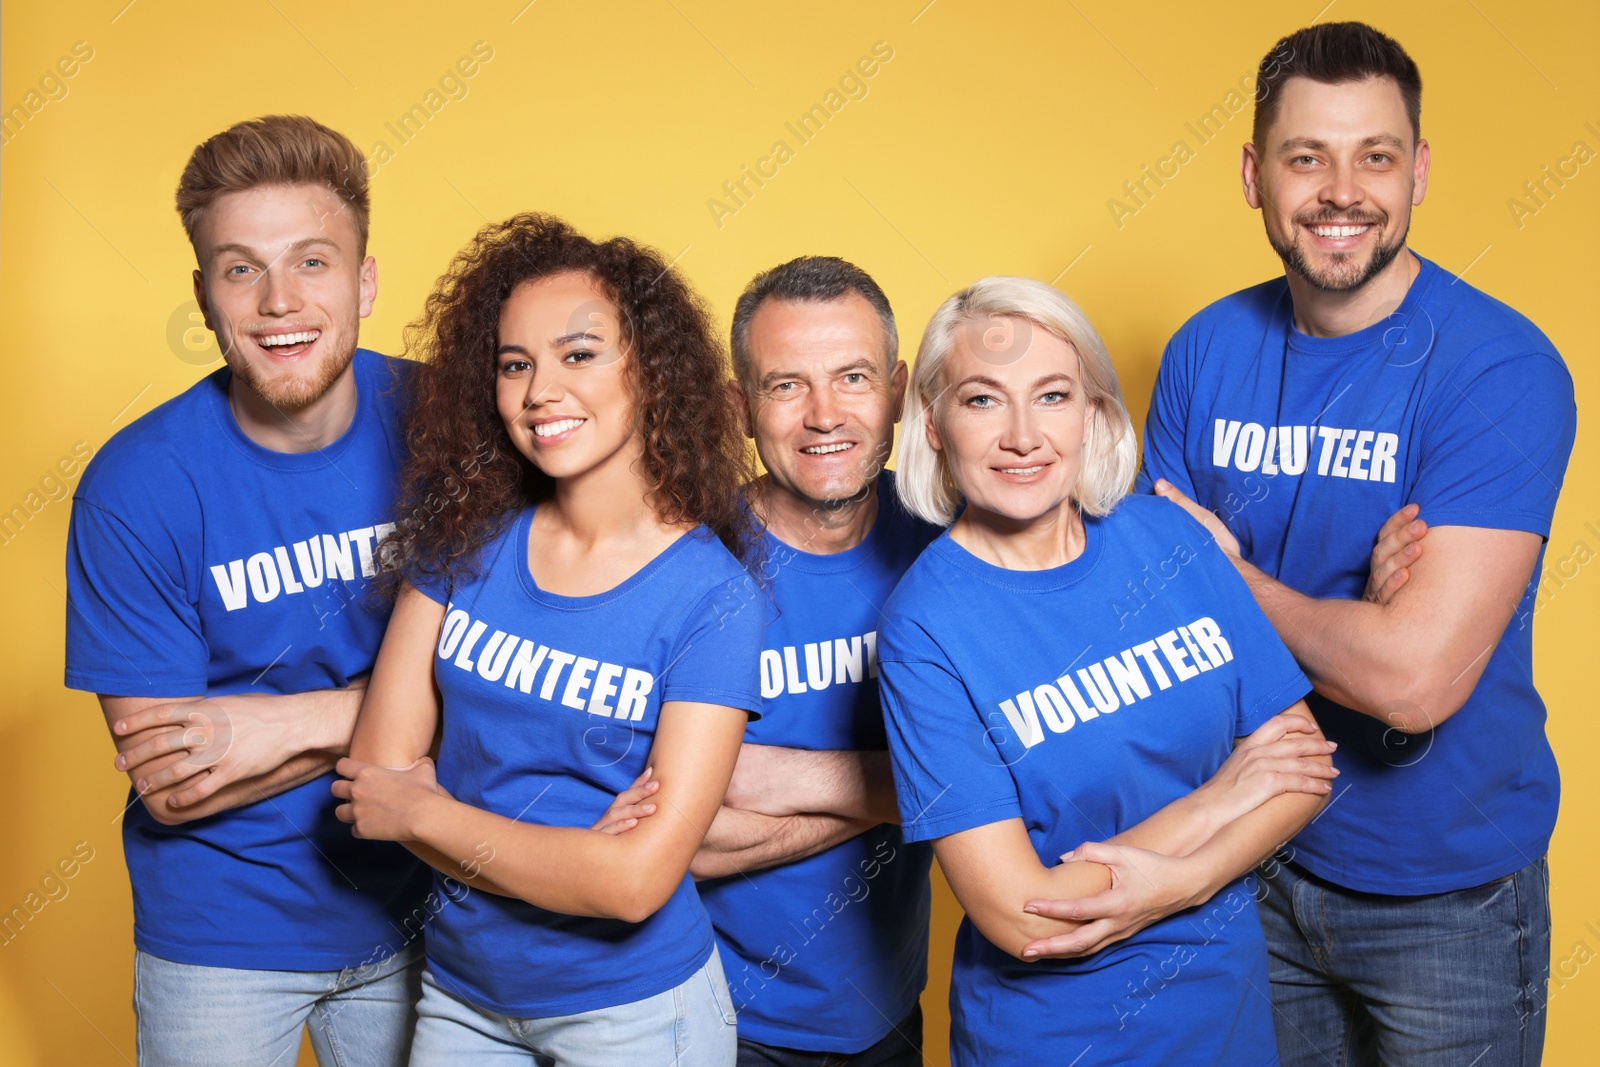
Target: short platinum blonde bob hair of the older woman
[(1111, 454)]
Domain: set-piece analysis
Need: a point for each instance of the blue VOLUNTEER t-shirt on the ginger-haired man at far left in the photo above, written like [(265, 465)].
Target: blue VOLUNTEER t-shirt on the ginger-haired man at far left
[(202, 564)]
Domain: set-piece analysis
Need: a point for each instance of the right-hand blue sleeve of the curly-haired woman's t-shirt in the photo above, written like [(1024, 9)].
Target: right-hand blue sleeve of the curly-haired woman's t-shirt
[(719, 653)]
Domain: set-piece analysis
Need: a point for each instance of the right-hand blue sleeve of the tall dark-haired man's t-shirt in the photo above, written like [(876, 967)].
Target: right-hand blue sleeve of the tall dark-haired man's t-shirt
[(1495, 452)]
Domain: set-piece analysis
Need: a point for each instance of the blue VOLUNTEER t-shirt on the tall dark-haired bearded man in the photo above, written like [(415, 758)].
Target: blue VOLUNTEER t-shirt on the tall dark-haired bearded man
[(1306, 446)]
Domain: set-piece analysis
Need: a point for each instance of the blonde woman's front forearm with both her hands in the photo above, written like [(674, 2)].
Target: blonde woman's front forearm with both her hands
[(1273, 785)]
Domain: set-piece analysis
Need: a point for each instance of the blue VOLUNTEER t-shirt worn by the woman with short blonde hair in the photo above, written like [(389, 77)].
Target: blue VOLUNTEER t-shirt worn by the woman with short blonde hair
[(1026, 695)]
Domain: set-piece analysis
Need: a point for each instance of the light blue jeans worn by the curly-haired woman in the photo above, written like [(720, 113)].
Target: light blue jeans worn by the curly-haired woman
[(689, 1026)]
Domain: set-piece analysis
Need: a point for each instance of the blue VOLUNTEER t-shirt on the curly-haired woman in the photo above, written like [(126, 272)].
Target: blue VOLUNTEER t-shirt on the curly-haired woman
[(551, 708)]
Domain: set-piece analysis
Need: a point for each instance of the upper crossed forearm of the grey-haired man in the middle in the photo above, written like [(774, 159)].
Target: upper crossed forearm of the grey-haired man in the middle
[(780, 781)]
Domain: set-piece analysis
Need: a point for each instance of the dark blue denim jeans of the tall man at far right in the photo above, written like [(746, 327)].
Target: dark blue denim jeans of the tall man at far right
[(1415, 981)]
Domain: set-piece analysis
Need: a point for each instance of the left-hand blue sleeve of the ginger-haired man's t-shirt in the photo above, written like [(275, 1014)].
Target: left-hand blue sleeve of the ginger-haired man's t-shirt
[(132, 626)]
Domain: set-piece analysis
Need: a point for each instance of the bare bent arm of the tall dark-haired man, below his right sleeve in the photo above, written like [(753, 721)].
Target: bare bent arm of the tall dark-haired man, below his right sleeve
[(1409, 661)]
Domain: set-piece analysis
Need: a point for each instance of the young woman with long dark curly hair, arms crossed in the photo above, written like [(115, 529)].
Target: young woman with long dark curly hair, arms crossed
[(574, 623)]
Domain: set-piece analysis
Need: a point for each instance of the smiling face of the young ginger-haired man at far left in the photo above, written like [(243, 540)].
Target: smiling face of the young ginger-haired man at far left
[(284, 287)]
